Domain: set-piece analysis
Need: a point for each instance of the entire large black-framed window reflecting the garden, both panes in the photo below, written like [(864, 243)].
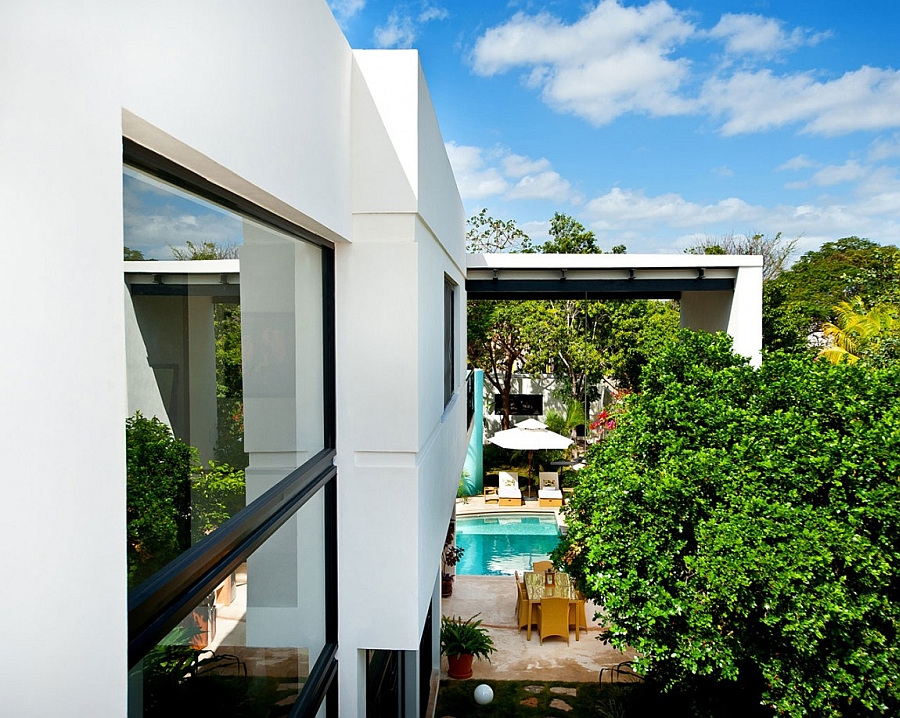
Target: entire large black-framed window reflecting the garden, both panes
[(231, 495)]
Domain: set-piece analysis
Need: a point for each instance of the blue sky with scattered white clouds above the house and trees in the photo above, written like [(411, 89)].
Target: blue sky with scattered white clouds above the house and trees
[(656, 124)]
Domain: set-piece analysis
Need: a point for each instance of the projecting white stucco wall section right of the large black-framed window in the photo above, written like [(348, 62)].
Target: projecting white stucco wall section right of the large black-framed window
[(399, 450)]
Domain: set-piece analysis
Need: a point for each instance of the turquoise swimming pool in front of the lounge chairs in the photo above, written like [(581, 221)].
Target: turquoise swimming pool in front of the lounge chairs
[(502, 543)]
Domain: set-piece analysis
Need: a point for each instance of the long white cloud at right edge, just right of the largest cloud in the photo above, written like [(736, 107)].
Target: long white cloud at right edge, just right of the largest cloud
[(866, 99)]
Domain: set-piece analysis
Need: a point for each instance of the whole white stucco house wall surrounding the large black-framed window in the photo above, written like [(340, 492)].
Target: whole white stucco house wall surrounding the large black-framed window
[(257, 97)]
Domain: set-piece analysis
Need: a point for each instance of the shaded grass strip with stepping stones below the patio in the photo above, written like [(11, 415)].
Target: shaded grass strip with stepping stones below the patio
[(455, 698)]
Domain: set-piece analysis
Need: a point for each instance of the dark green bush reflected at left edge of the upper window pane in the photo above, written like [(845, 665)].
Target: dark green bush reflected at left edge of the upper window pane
[(159, 470)]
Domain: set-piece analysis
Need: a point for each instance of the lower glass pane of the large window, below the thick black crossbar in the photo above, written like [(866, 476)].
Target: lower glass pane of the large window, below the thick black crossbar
[(246, 650)]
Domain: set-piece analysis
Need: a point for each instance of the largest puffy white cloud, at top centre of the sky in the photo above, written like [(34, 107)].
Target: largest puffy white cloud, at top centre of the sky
[(613, 60)]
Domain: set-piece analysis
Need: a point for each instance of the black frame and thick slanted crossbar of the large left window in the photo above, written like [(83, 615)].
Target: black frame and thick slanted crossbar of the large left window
[(160, 602)]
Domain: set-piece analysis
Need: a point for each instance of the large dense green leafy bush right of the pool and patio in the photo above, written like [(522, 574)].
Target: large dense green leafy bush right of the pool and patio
[(743, 524)]
